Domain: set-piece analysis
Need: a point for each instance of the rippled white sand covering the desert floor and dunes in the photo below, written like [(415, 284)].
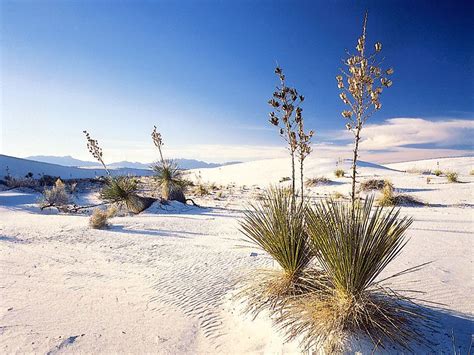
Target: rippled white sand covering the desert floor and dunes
[(160, 282)]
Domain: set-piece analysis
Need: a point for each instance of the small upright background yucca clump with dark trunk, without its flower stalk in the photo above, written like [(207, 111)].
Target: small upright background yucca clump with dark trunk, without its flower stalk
[(170, 179)]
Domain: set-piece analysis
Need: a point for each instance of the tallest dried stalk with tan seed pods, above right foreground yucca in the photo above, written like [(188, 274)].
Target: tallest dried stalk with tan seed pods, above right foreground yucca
[(361, 84)]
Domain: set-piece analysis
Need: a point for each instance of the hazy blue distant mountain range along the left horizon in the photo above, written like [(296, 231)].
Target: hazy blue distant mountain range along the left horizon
[(73, 162)]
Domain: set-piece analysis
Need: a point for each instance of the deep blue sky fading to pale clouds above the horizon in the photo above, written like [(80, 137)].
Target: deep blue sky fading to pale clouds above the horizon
[(203, 70)]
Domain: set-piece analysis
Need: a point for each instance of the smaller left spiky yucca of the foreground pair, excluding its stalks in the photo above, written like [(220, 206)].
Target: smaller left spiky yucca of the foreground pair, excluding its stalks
[(276, 225)]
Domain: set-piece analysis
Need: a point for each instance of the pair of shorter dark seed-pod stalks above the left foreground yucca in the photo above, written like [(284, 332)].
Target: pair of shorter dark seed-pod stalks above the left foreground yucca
[(287, 116)]
